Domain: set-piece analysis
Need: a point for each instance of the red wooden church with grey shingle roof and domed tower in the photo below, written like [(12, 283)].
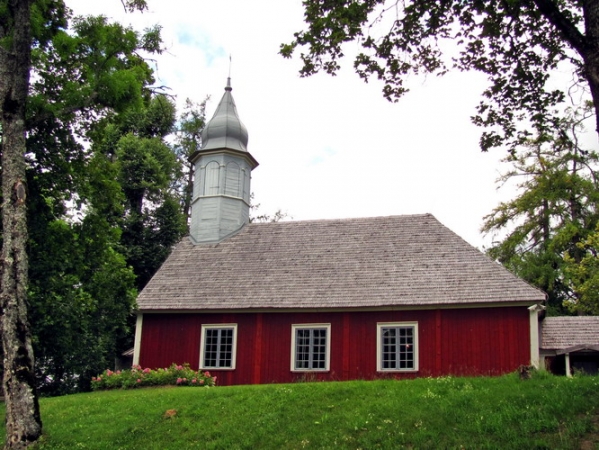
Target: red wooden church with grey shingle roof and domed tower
[(365, 298)]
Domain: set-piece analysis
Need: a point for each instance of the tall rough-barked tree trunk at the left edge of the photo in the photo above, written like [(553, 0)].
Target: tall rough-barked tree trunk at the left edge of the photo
[(23, 423)]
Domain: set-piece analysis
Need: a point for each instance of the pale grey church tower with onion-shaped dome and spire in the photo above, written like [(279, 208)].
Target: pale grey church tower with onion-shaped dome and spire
[(220, 204)]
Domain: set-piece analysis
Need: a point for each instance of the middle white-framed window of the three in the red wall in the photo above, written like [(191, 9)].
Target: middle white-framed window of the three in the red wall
[(310, 347)]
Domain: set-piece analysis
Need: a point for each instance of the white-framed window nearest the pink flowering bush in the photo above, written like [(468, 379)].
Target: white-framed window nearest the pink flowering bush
[(218, 346)]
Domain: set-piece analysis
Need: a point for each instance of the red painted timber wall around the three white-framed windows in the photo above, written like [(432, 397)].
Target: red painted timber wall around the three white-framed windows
[(482, 341)]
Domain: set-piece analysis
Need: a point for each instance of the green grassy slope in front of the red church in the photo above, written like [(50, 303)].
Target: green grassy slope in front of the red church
[(473, 413)]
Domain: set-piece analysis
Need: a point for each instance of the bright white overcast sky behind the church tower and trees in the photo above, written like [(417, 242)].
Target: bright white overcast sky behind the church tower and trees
[(328, 147)]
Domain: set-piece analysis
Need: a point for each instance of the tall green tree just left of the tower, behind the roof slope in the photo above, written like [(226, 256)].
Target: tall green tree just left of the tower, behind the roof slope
[(147, 169)]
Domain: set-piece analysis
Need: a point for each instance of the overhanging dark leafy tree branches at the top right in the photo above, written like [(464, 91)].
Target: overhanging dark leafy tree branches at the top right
[(516, 44)]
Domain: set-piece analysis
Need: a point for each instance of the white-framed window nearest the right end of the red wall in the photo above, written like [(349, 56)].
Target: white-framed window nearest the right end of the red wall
[(397, 347)]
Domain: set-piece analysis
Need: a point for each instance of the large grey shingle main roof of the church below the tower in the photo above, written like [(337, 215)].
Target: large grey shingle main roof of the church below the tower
[(398, 261)]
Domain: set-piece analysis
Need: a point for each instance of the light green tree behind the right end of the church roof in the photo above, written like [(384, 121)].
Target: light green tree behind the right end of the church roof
[(555, 211)]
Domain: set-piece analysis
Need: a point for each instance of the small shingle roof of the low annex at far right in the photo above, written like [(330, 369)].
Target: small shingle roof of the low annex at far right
[(565, 332)]
